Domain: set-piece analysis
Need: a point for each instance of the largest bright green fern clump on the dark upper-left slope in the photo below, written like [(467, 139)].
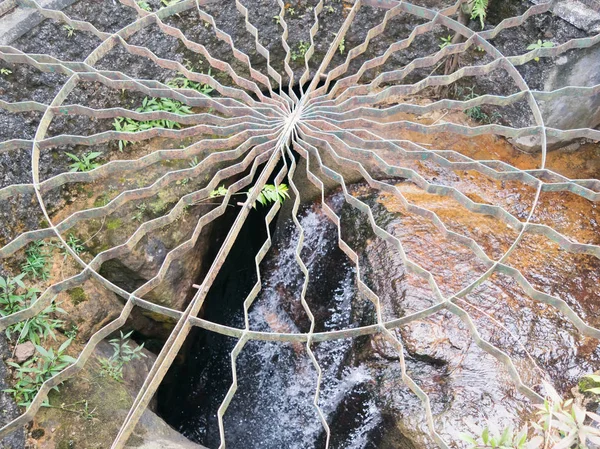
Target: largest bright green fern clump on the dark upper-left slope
[(126, 124)]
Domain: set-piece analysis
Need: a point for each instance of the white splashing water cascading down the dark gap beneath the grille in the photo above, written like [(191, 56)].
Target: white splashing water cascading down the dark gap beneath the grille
[(273, 407)]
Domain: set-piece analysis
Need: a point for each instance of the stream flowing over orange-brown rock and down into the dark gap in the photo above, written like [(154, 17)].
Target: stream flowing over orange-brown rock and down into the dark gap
[(362, 395)]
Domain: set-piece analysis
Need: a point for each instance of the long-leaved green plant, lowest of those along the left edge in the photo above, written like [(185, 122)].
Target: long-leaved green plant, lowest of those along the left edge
[(33, 373)]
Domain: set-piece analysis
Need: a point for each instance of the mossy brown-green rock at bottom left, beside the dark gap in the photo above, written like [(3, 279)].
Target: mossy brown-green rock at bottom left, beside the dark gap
[(65, 426)]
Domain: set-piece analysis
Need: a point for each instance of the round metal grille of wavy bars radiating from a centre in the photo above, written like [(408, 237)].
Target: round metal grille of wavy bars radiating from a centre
[(336, 118)]
